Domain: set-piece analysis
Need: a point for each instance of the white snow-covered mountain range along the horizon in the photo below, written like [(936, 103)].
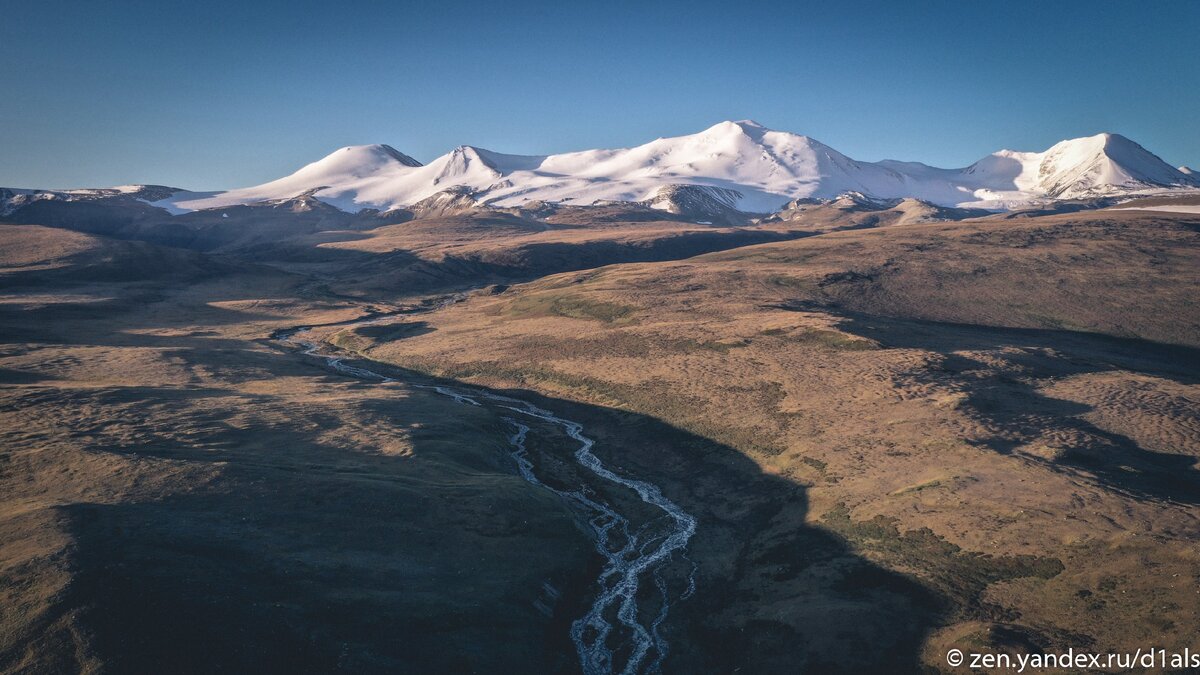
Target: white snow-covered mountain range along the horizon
[(747, 166)]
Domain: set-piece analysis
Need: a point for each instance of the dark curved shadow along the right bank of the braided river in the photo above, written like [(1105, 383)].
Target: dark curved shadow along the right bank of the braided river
[(776, 595)]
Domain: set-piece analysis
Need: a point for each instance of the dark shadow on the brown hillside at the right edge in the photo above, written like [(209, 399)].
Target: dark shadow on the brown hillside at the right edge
[(1010, 398)]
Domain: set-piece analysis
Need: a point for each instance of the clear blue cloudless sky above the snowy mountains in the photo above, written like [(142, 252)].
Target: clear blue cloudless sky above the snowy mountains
[(219, 94)]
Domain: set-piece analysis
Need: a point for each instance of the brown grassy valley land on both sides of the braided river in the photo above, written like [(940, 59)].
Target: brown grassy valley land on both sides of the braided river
[(895, 441)]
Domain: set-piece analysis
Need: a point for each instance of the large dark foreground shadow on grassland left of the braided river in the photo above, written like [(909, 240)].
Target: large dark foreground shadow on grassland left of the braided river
[(299, 555)]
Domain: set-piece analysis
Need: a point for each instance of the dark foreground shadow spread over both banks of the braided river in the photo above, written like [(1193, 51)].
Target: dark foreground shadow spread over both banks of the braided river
[(302, 557)]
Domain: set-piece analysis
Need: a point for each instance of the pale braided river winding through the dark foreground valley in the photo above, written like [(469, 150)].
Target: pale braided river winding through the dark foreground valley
[(614, 629)]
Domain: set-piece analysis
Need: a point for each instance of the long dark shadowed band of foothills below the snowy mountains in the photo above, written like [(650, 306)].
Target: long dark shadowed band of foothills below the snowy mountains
[(203, 244)]
